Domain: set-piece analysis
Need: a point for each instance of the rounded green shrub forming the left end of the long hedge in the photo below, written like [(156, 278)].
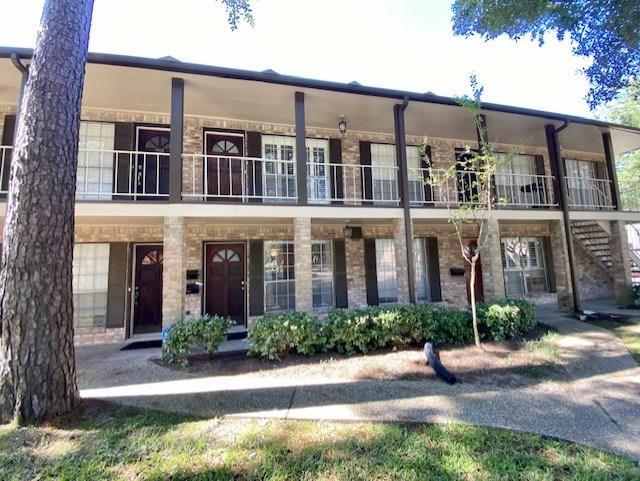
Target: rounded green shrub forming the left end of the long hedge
[(277, 334)]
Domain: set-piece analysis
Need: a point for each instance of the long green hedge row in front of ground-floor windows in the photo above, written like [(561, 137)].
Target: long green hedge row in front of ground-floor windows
[(351, 331)]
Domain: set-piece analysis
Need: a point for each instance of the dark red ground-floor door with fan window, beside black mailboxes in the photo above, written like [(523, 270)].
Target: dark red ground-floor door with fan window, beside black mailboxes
[(225, 264)]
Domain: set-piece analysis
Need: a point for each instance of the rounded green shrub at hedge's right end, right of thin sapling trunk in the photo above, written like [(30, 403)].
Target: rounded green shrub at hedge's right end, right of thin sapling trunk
[(505, 319)]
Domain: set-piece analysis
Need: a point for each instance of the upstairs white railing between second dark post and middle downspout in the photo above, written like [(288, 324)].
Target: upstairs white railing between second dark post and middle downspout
[(353, 184)]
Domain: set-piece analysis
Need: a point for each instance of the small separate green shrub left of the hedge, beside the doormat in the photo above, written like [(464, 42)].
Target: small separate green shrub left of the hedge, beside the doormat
[(206, 332)]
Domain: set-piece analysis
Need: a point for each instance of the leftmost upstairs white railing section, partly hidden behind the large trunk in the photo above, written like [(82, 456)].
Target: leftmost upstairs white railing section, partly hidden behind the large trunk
[(111, 174)]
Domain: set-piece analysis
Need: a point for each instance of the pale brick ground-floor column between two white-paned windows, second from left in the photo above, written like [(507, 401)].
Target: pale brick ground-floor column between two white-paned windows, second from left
[(302, 253)]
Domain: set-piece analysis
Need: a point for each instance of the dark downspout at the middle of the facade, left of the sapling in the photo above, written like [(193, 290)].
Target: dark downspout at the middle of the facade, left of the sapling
[(406, 204)]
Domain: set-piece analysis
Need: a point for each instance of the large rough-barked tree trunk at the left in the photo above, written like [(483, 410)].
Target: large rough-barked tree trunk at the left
[(37, 365)]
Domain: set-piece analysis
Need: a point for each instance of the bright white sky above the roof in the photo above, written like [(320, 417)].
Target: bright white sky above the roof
[(399, 44)]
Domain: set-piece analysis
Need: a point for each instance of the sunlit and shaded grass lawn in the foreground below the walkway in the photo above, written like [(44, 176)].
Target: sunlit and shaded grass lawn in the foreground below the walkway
[(105, 442)]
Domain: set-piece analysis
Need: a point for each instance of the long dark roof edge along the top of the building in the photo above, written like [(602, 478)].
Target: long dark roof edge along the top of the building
[(240, 74)]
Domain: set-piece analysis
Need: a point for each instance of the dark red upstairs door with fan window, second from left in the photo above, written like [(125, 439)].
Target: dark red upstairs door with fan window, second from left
[(224, 167)]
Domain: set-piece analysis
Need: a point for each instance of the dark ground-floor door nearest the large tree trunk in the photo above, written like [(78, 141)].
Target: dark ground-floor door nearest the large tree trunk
[(147, 294)]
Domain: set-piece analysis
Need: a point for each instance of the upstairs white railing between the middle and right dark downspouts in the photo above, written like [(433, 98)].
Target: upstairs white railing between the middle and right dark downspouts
[(433, 187)]
